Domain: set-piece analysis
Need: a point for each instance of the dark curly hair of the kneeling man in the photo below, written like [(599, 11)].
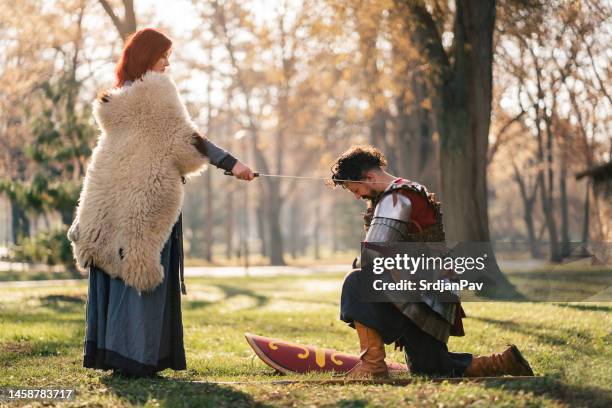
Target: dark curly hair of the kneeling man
[(355, 162)]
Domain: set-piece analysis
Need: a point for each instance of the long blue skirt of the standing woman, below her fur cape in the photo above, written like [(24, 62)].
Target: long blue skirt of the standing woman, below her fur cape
[(137, 334)]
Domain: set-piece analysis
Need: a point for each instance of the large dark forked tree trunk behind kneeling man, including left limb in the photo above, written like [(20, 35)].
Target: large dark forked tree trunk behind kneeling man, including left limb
[(461, 90)]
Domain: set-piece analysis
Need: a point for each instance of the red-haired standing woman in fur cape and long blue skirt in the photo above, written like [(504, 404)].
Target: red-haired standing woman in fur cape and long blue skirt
[(127, 229)]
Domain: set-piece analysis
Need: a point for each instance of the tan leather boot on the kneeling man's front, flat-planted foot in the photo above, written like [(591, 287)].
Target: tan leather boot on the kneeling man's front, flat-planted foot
[(372, 364)]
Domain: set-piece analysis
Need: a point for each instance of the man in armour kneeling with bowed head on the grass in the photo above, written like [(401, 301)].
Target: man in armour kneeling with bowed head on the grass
[(402, 210)]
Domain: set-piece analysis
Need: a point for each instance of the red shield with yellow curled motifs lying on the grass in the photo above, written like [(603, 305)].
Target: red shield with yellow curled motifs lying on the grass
[(291, 358)]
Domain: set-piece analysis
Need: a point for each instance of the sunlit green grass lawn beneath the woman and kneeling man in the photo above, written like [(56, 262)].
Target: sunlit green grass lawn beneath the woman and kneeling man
[(41, 333)]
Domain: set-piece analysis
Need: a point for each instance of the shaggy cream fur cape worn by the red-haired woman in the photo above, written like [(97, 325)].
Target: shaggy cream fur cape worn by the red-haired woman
[(132, 193)]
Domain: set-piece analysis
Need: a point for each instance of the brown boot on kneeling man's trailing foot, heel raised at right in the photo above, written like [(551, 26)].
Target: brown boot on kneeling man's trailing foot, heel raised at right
[(510, 362)]
